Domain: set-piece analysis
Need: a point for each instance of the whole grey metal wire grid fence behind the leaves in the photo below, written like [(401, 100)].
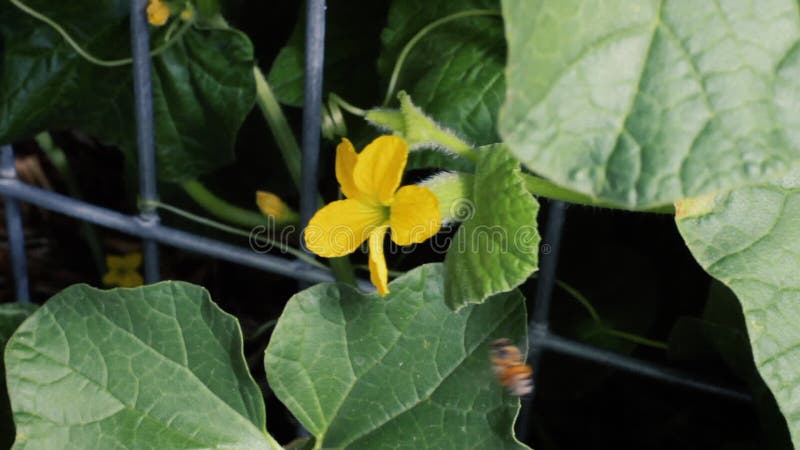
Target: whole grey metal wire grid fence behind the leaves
[(146, 224)]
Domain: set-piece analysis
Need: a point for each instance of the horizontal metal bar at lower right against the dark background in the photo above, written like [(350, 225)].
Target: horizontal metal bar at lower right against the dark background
[(552, 342)]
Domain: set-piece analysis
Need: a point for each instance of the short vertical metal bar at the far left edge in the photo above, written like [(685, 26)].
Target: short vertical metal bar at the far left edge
[(16, 235)]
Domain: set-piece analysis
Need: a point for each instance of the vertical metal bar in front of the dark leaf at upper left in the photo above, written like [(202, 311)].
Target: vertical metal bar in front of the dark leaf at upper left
[(145, 132)]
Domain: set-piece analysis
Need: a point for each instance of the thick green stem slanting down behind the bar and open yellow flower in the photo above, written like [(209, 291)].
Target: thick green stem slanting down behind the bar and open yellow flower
[(290, 151)]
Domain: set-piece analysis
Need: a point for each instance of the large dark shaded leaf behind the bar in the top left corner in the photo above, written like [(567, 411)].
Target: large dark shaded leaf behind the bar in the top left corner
[(203, 85)]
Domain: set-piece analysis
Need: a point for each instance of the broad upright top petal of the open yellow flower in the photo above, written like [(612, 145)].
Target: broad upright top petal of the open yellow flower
[(380, 167)]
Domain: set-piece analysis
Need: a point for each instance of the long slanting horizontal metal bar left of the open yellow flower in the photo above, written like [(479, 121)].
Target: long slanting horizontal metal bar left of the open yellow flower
[(165, 235)]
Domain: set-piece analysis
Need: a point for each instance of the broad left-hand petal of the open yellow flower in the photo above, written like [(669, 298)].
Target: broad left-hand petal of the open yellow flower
[(341, 226)]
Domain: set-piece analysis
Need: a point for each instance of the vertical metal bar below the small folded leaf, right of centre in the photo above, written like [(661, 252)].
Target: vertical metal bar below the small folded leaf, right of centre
[(538, 326)]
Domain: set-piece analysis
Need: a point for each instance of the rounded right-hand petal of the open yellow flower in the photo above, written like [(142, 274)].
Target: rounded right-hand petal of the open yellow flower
[(415, 215)]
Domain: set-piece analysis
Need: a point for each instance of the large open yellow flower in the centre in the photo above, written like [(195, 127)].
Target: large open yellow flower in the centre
[(374, 204)]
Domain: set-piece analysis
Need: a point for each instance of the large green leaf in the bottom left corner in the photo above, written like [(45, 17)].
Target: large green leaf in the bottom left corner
[(159, 366)]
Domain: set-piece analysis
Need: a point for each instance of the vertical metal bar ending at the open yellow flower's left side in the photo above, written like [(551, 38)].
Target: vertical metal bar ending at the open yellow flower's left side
[(312, 108)]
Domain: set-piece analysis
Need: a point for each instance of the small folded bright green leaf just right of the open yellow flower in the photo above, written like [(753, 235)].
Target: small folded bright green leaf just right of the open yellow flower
[(497, 248)]
